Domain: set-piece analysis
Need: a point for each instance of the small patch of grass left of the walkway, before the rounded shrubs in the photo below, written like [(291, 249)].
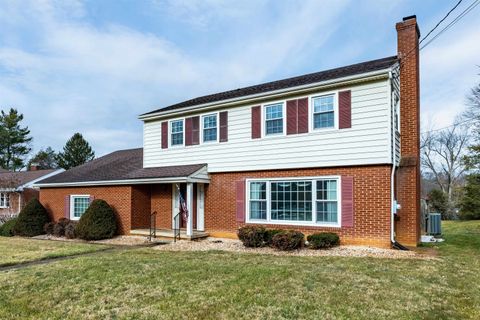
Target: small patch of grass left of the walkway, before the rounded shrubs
[(19, 250)]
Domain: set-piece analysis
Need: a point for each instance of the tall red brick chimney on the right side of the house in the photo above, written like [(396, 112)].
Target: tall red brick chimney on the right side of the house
[(407, 226)]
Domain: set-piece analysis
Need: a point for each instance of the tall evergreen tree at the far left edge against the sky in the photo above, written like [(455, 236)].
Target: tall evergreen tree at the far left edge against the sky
[(14, 141)]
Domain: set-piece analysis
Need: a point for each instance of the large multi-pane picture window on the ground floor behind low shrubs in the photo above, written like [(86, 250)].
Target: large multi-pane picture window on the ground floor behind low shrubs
[(313, 201)]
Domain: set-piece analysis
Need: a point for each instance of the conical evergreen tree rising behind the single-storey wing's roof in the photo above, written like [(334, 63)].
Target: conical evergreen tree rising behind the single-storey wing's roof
[(76, 152)]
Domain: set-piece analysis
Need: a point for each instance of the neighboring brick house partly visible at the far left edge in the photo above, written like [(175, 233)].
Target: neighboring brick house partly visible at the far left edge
[(16, 188)]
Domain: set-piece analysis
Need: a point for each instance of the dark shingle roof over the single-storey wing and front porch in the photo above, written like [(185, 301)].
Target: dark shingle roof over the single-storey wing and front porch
[(120, 165)]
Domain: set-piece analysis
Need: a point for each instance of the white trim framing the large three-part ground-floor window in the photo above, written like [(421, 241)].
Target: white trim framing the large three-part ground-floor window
[(313, 223)]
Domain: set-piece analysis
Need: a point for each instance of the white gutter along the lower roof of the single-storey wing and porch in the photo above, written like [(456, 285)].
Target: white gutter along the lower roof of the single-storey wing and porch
[(122, 182)]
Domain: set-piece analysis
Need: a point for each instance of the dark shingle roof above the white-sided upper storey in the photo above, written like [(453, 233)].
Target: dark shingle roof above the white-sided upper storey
[(354, 69)]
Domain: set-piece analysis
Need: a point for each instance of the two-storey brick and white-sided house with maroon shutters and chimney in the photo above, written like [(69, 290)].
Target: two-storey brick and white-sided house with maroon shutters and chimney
[(329, 151)]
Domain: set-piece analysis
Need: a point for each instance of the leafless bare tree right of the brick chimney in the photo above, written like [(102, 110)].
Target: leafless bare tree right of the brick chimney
[(442, 154)]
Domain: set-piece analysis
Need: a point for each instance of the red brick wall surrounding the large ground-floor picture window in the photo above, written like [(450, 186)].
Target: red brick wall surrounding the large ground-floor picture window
[(372, 202)]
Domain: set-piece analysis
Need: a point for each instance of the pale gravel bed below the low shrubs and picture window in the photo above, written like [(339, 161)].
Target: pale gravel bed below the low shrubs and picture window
[(341, 251)]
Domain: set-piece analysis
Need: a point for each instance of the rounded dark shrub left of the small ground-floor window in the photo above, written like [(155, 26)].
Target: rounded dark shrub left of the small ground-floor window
[(31, 220)]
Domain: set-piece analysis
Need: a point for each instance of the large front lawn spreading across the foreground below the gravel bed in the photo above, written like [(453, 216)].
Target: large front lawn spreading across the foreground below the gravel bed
[(149, 284)]
